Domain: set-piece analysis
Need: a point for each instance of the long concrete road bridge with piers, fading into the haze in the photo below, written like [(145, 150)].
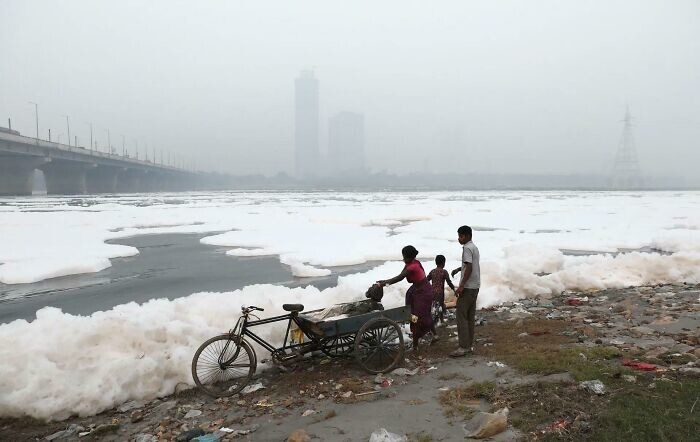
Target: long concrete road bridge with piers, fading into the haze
[(71, 170)]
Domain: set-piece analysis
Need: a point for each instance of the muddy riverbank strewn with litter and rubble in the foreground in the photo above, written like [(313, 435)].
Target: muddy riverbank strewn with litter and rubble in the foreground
[(640, 343)]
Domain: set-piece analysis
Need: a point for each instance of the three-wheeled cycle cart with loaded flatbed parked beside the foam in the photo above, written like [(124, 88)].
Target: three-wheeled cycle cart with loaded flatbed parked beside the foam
[(225, 364)]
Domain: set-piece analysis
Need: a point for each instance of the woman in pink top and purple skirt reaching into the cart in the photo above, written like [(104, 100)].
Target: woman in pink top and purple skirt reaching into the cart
[(419, 296)]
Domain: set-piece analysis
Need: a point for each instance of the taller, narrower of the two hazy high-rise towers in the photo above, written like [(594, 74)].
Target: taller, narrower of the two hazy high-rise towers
[(307, 160)]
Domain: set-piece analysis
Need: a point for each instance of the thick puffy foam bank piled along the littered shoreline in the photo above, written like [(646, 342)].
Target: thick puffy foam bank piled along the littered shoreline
[(61, 365)]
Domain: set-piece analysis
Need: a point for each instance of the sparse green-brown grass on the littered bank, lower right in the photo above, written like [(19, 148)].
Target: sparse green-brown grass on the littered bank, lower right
[(562, 411)]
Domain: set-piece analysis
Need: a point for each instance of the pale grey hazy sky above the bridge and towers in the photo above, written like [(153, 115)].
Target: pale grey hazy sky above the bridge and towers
[(493, 86)]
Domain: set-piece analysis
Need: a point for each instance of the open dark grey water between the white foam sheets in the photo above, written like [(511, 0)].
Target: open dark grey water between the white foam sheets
[(167, 266)]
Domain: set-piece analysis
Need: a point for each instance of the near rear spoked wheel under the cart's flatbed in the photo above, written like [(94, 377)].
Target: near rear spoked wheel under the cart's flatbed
[(379, 345)]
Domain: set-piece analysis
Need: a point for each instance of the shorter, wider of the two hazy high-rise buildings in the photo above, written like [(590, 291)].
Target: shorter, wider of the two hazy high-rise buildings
[(346, 144)]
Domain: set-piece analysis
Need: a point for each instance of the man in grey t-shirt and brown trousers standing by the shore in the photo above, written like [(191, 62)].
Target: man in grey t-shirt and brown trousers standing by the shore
[(467, 291)]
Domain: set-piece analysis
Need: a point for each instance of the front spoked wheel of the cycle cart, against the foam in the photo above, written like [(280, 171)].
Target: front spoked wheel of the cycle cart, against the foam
[(223, 365)]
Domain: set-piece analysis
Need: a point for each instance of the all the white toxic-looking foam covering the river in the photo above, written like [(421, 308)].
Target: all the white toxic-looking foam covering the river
[(60, 364)]
